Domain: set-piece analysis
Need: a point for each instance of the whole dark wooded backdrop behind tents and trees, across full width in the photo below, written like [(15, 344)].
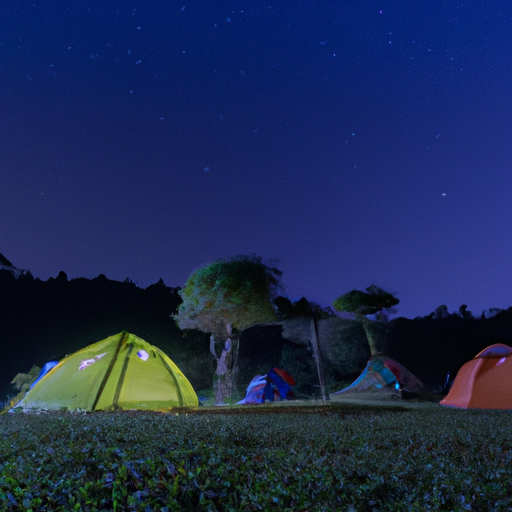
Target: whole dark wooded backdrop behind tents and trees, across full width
[(42, 321)]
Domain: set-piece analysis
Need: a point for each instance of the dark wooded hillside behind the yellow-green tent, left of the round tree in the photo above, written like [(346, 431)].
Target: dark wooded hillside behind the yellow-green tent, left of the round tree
[(45, 320)]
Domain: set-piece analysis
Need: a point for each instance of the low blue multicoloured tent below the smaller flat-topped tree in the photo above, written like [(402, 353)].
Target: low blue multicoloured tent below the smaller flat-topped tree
[(385, 376)]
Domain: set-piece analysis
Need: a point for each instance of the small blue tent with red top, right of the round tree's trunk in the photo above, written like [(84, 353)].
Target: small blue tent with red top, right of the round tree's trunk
[(274, 386)]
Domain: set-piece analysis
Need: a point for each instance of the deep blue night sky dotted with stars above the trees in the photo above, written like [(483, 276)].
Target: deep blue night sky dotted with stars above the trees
[(358, 143)]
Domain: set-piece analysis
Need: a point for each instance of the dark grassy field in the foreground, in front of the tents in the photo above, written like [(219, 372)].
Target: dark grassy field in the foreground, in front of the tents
[(321, 458)]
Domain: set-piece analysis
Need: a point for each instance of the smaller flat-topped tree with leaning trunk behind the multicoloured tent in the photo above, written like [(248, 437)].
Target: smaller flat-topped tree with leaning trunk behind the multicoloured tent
[(374, 301)]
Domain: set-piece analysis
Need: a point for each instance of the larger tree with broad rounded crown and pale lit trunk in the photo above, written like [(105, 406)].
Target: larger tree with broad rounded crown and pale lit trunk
[(224, 298)]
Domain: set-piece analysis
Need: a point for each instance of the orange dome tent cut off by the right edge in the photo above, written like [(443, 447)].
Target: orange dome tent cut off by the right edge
[(485, 382)]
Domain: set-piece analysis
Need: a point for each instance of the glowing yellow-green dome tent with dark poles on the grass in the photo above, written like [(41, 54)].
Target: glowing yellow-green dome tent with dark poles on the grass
[(119, 372)]
